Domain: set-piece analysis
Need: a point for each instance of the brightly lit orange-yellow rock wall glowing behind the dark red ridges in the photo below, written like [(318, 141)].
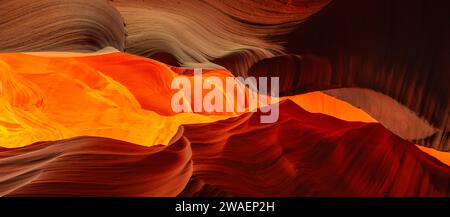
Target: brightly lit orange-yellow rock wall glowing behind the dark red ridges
[(114, 95)]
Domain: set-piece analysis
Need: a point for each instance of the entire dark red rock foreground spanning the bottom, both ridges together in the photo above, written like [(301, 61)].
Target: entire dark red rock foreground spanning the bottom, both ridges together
[(304, 154)]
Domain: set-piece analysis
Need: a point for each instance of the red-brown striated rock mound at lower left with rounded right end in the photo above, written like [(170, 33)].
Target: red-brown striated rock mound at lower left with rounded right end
[(94, 166)]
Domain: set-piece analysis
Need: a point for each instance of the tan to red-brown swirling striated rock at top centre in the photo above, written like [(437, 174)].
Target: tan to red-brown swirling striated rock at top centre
[(200, 33)]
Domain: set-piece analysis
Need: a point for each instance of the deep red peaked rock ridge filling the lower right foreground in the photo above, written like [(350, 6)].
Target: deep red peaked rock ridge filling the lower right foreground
[(306, 154)]
